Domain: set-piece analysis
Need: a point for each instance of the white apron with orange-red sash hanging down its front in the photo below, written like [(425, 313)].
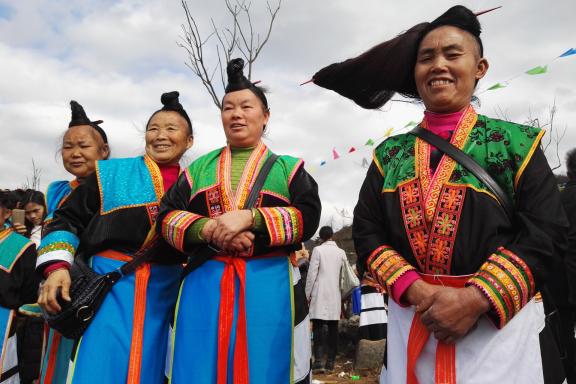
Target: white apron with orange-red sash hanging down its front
[(486, 355)]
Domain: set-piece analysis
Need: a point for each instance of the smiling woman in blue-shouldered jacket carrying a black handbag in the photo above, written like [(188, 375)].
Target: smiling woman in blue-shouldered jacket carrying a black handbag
[(106, 219)]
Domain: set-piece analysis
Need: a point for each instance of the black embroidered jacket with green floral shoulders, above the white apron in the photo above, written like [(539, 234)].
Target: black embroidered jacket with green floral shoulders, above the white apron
[(449, 223)]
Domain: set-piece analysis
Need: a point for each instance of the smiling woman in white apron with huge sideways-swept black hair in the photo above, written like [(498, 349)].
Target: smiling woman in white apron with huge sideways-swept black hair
[(455, 265)]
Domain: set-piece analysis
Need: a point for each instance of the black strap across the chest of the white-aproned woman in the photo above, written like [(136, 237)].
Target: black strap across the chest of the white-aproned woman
[(468, 163)]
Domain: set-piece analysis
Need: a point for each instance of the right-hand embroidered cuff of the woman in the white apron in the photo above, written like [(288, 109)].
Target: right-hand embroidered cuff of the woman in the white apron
[(507, 282)]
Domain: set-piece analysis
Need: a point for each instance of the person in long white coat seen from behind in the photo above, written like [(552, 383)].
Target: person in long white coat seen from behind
[(323, 292)]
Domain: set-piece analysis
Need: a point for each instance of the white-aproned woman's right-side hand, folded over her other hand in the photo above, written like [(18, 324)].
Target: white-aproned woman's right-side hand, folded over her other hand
[(451, 313)]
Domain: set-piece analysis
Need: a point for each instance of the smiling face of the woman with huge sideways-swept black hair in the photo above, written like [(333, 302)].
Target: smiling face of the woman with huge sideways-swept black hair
[(448, 64)]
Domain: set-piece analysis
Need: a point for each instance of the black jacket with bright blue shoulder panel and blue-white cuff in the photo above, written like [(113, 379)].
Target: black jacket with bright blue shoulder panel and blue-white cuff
[(114, 208)]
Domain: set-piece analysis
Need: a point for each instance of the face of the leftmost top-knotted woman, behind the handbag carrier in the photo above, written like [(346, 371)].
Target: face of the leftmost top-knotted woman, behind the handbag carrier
[(81, 148)]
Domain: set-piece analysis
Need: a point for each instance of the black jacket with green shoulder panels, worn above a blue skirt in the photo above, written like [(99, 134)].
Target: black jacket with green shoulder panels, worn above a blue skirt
[(288, 202)]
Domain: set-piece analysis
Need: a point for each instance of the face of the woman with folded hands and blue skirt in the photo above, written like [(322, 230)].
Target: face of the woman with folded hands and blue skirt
[(243, 118)]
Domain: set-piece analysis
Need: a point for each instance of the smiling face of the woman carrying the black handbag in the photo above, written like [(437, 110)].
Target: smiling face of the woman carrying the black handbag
[(167, 137)]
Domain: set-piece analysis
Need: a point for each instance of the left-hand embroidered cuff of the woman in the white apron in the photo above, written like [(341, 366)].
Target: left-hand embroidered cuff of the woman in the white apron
[(386, 265)]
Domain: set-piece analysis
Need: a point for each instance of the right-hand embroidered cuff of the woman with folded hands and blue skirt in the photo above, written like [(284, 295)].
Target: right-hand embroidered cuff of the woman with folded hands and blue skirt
[(284, 225)]
